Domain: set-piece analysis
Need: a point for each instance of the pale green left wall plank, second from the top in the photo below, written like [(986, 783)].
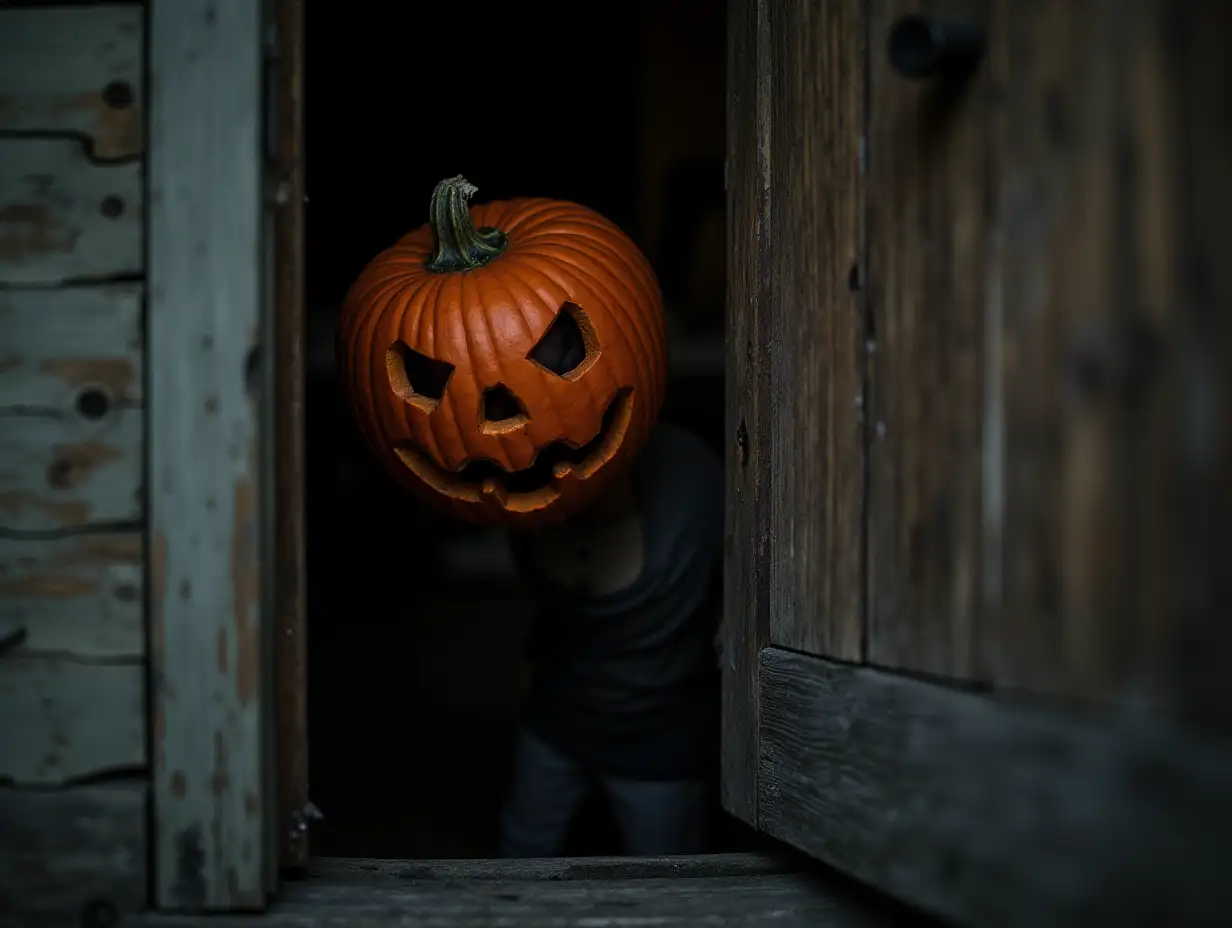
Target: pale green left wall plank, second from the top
[(66, 219)]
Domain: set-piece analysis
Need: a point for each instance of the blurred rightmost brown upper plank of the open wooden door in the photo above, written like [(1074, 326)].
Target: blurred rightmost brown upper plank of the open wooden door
[(1116, 134)]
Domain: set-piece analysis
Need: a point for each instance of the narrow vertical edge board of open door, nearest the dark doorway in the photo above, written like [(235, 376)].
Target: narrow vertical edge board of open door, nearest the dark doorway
[(747, 538)]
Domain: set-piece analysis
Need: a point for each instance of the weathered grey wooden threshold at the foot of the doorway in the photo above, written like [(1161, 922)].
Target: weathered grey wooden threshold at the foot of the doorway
[(597, 893)]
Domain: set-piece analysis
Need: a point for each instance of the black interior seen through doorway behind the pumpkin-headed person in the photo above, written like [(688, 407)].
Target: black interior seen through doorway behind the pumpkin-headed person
[(413, 693)]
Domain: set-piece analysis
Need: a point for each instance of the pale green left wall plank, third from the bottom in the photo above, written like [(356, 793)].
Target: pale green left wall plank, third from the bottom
[(78, 596)]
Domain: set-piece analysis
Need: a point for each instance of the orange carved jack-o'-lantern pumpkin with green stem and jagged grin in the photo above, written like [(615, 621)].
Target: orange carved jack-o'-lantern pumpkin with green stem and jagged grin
[(506, 362)]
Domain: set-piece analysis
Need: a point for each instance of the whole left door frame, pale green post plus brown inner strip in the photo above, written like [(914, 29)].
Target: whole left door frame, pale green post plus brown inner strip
[(225, 338)]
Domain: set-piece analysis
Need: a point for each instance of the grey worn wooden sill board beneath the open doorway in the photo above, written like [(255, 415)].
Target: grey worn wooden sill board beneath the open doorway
[(787, 902)]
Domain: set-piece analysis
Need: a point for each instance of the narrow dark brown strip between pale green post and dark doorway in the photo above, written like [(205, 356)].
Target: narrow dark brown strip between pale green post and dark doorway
[(290, 580)]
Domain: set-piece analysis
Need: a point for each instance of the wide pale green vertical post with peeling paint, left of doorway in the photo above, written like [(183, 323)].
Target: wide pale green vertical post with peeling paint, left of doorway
[(205, 365)]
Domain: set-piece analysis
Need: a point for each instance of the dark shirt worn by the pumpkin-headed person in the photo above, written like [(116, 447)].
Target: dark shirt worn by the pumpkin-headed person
[(626, 682)]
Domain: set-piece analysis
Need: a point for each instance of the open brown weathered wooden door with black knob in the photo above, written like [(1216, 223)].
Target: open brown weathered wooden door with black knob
[(979, 402)]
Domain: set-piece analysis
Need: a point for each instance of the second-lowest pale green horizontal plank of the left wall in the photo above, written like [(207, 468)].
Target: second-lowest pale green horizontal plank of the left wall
[(62, 720)]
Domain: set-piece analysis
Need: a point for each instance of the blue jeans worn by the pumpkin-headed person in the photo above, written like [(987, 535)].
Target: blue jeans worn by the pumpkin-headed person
[(549, 788)]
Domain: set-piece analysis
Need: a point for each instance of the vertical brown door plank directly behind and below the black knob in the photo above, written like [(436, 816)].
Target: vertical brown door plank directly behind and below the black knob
[(931, 238)]
